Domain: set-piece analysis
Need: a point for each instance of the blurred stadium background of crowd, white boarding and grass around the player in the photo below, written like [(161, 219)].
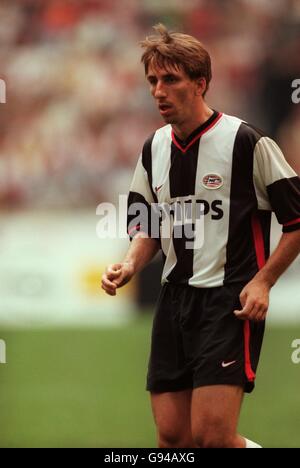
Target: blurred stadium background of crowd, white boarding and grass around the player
[(77, 113)]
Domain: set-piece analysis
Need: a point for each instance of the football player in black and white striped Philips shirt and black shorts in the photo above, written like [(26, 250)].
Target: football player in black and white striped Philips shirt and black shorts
[(209, 323)]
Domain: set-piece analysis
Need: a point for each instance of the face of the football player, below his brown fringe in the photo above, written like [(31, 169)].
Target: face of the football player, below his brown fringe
[(175, 93)]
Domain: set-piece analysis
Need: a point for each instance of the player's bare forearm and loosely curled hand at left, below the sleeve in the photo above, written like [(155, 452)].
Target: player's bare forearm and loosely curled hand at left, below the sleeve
[(140, 253)]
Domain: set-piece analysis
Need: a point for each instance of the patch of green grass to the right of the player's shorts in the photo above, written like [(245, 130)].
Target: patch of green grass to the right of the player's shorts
[(271, 415)]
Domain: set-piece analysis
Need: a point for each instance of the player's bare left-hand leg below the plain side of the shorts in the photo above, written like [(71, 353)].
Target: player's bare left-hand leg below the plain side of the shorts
[(172, 415)]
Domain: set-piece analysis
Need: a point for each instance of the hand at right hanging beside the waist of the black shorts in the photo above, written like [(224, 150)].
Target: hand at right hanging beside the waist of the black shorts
[(255, 299)]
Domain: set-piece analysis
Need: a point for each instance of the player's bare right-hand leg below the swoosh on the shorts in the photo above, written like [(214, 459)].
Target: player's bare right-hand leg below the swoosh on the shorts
[(215, 414)]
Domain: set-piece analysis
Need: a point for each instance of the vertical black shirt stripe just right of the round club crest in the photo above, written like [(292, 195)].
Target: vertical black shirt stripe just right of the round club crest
[(241, 261)]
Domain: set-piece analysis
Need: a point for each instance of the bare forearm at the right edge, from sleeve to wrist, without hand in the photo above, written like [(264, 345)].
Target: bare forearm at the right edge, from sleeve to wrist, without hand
[(285, 253)]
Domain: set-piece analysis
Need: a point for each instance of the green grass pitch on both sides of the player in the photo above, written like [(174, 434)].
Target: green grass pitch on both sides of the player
[(85, 388)]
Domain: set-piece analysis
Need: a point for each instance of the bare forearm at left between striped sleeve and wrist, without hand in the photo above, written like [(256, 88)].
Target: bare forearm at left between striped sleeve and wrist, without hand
[(141, 251)]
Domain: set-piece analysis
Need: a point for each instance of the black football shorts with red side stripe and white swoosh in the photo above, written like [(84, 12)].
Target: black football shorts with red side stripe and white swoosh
[(197, 340)]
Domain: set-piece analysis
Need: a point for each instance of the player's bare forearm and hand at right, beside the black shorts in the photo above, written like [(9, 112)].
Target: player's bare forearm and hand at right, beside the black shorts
[(255, 296)]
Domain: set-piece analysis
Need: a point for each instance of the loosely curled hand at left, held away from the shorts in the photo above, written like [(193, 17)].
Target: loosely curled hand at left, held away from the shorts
[(116, 276)]
